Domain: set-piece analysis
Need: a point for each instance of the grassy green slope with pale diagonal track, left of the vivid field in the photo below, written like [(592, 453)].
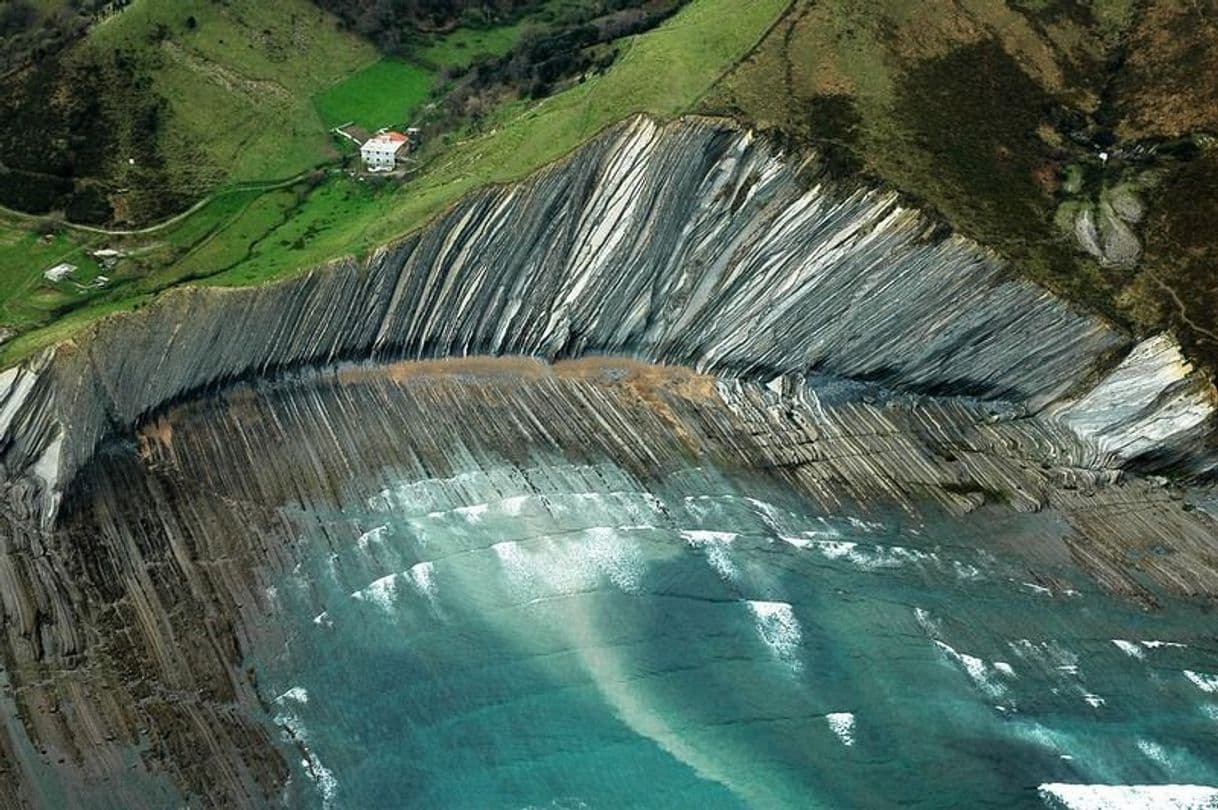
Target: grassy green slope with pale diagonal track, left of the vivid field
[(238, 113)]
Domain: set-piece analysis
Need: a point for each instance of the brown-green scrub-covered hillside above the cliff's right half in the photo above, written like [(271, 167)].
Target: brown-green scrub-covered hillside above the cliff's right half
[(1007, 119)]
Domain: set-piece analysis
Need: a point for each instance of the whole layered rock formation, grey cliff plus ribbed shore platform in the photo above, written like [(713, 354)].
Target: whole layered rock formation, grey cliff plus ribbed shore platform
[(153, 470)]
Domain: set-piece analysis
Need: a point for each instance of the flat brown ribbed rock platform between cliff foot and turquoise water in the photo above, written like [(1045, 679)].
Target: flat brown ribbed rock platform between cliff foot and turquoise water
[(127, 625)]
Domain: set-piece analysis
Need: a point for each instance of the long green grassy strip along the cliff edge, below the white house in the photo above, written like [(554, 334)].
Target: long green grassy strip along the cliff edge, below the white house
[(242, 241)]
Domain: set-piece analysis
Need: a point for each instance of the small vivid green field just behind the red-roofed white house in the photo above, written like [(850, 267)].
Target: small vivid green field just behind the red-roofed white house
[(384, 94)]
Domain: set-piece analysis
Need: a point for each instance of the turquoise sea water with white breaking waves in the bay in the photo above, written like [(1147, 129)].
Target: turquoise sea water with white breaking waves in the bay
[(562, 636)]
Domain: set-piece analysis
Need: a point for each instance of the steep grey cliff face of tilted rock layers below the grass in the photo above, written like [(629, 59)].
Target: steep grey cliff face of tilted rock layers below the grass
[(692, 244)]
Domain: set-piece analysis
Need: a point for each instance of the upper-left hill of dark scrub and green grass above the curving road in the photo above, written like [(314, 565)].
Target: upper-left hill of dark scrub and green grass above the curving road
[(164, 103)]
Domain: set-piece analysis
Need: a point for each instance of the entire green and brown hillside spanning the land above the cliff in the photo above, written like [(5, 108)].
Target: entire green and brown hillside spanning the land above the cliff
[(993, 118)]
